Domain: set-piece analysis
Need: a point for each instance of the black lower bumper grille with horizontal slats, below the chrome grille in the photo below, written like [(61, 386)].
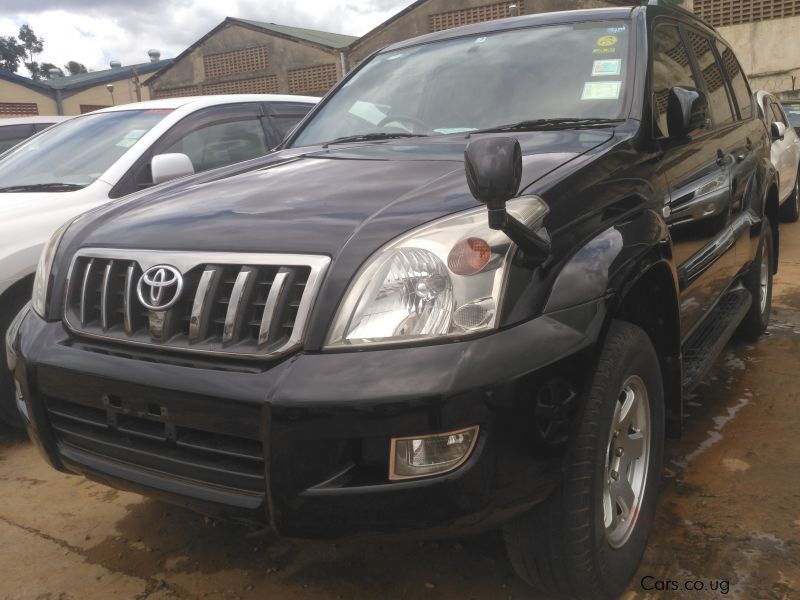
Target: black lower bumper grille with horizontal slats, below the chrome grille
[(148, 442)]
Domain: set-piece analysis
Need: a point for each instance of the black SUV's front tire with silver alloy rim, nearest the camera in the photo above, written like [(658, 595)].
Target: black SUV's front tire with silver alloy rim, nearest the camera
[(587, 539)]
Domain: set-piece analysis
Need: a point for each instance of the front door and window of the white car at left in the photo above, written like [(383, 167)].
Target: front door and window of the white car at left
[(211, 137)]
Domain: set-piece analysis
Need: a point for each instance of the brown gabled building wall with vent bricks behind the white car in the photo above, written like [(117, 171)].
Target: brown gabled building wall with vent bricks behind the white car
[(238, 59)]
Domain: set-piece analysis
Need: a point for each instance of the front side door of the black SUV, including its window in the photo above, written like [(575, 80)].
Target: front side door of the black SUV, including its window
[(698, 173)]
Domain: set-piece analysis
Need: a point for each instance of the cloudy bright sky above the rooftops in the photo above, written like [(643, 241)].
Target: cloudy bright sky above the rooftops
[(94, 32)]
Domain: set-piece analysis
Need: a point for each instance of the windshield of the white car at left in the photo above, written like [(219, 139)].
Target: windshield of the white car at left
[(75, 153)]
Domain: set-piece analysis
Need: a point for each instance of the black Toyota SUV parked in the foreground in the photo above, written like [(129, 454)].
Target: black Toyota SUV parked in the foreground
[(342, 341)]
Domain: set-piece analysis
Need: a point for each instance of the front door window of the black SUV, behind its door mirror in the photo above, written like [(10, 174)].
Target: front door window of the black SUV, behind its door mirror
[(671, 67)]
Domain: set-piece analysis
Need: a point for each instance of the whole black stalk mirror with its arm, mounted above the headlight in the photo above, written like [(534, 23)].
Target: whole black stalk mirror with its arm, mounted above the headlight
[(493, 167)]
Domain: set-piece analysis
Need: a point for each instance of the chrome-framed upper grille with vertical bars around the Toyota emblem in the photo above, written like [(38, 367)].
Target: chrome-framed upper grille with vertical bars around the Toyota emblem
[(251, 305)]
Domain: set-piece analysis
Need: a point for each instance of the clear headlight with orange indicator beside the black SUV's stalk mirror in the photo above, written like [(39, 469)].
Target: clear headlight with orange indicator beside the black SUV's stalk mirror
[(442, 280)]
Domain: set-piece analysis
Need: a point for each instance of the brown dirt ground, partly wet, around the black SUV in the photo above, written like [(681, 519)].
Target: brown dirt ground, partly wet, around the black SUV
[(728, 519)]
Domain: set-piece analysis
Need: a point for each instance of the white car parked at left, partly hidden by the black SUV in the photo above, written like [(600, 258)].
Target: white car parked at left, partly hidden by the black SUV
[(92, 159)]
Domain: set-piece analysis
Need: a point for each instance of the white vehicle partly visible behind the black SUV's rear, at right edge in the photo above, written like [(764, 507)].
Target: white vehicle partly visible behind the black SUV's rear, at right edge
[(784, 154)]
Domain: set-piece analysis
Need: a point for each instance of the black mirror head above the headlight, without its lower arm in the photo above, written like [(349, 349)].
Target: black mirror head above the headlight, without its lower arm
[(494, 172)]
